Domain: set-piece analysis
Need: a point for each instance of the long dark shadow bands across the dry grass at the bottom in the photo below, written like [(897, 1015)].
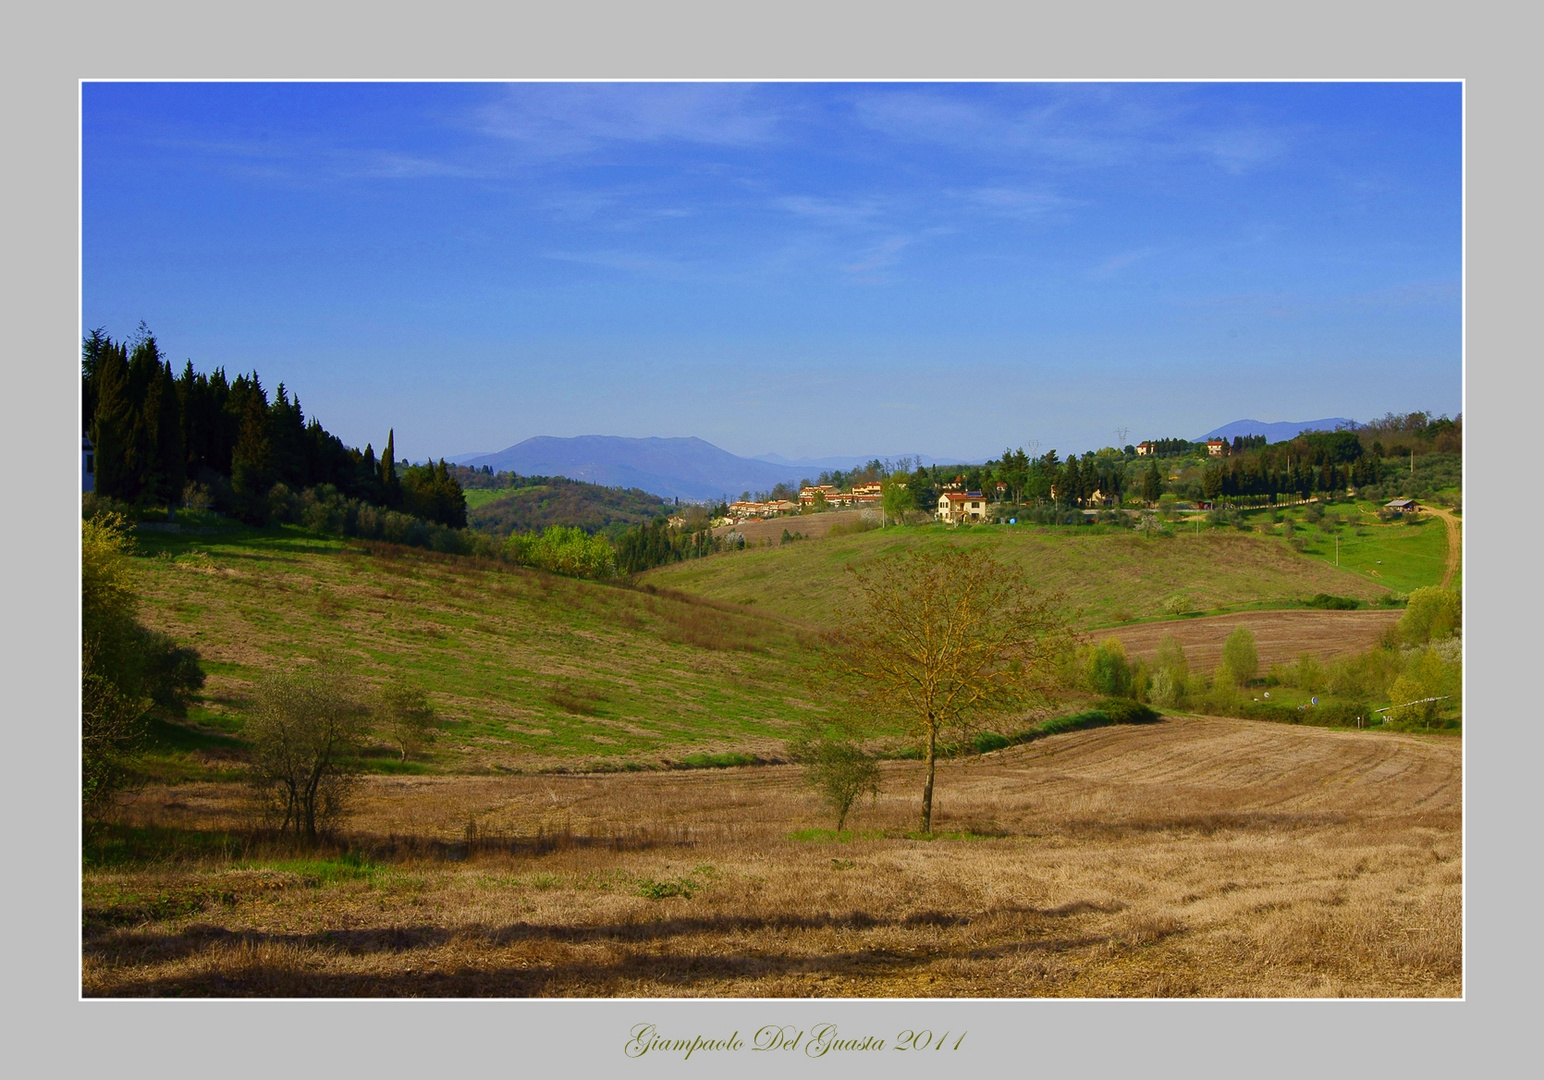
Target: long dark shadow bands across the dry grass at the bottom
[(285, 965)]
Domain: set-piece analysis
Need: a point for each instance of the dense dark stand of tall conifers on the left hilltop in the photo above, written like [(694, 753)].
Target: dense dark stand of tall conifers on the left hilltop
[(157, 433)]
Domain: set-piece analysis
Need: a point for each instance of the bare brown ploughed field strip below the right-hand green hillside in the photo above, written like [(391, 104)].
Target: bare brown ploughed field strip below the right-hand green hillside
[(1281, 637)]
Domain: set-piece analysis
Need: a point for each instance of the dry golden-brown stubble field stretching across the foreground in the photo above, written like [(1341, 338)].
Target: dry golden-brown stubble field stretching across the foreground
[(1190, 858)]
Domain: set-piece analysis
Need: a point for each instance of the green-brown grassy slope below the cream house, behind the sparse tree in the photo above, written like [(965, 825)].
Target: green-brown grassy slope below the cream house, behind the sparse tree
[(1108, 577)]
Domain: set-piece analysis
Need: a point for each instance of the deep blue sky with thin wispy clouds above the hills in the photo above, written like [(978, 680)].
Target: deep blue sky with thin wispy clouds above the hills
[(810, 270)]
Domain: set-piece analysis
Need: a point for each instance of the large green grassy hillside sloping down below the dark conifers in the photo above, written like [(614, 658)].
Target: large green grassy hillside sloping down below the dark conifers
[(529, 667)]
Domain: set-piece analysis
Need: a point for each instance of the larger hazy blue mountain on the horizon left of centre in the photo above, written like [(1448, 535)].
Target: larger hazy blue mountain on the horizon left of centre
[(685, 469)]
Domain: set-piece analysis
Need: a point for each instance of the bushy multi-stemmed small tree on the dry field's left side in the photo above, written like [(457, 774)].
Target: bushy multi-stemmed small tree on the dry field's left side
[(306, 730)]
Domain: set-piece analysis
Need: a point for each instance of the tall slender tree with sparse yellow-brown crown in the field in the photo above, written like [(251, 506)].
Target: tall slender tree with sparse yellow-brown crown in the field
[(940, 637)]
